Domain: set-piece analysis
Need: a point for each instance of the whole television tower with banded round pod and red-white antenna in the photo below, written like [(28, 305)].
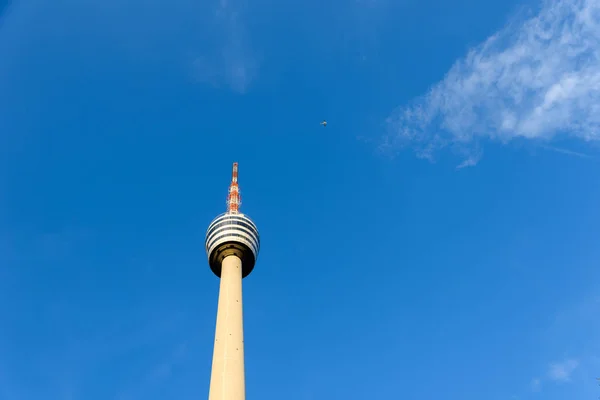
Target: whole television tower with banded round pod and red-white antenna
[(232, 245)]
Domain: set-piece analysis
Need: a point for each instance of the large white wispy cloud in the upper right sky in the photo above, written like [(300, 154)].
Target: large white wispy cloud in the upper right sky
[(537, 78)]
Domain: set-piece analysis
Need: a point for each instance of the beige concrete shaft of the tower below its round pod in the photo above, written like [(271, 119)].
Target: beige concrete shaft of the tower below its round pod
[(227, 380)]
